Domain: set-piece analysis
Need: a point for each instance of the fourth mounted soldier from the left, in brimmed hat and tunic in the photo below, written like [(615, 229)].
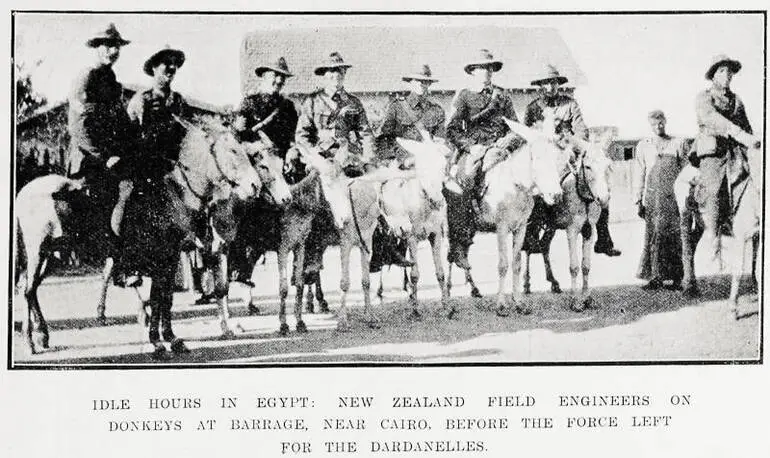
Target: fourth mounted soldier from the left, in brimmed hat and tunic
[(333, 119)]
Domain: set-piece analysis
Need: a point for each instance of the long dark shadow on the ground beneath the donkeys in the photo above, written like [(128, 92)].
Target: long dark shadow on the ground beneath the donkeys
[(618, 305)]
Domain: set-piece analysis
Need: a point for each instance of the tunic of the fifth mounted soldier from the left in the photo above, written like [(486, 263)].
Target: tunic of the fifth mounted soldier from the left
[(403, 119)]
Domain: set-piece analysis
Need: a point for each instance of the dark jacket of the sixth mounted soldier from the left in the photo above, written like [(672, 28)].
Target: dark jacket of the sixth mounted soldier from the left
[(476, 118)]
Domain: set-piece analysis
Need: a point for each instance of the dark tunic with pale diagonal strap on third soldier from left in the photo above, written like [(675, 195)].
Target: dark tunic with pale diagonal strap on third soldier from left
[(279, 127)]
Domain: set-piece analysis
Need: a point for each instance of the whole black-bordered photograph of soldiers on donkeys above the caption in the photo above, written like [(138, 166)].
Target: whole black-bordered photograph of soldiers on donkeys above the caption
[(200, 189)]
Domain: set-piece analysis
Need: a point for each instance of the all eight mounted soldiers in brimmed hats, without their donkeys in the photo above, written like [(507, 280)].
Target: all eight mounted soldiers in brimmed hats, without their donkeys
[(146, 136)]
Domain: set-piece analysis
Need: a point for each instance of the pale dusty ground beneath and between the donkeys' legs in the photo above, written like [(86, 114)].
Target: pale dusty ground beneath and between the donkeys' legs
[(630, 325)]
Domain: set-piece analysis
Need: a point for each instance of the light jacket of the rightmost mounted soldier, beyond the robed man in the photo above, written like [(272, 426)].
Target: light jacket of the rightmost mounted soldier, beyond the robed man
[(719, 113)]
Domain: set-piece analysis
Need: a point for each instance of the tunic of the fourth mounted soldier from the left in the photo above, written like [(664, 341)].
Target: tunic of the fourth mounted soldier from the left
[(330, 122)]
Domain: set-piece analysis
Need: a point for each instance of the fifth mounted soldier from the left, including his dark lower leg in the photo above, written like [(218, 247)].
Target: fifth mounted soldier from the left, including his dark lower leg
[(405, 117)]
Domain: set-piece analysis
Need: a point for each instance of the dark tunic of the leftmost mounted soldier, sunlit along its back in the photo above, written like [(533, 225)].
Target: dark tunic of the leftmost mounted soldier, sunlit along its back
[(97, 121)]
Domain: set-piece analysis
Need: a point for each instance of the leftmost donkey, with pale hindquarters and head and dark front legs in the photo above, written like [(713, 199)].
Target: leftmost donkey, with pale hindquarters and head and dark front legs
[(209, 169)]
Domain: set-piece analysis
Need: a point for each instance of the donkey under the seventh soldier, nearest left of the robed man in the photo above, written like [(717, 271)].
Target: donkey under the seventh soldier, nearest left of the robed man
[(585, 190)]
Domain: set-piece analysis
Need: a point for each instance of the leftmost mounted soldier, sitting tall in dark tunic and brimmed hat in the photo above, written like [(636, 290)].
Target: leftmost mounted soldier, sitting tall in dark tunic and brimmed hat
[(99, 129)]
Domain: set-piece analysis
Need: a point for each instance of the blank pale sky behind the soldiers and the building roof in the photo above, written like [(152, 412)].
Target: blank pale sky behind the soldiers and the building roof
[(633, 63)]
